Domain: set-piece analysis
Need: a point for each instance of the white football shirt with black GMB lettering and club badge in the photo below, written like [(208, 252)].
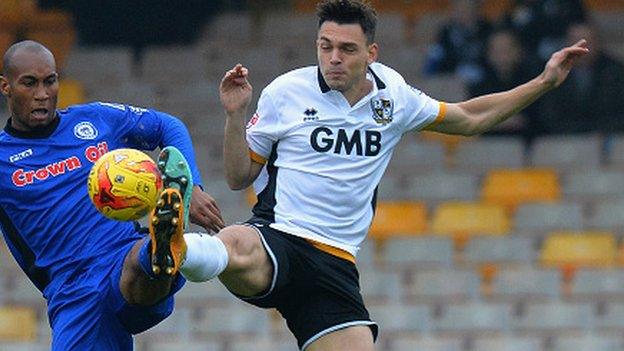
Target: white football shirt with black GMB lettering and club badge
[(325, 158)]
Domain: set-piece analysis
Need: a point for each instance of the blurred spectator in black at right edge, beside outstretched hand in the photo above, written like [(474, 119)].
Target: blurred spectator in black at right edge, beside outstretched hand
[(592, 98)]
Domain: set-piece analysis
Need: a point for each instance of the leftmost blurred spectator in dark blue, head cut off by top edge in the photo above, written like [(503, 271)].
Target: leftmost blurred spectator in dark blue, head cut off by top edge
[(460, 43)]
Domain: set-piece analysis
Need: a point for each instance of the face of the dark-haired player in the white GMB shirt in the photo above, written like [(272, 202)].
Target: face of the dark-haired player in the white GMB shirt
[(344, 56)]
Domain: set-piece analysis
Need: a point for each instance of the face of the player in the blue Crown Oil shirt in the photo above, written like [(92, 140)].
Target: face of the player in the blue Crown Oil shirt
[(31, 89)]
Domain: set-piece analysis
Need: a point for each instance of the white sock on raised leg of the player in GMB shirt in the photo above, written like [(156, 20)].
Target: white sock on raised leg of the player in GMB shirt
[(206, 257)]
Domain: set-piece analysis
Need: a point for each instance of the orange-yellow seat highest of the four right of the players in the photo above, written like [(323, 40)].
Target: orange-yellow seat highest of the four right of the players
[(512, 187)]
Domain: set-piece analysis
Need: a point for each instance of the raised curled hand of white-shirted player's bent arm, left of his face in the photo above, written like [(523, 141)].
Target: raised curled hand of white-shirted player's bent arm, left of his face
[(235, 90)]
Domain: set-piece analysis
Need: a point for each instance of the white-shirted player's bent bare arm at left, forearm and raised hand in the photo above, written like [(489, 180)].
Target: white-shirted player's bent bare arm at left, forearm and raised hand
[(235, 92)]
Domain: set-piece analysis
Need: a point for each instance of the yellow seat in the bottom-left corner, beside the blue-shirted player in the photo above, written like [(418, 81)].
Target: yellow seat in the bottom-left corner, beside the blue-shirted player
[(17, 323)]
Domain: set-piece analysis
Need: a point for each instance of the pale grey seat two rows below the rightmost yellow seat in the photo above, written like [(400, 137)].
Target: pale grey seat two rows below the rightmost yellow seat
[(554, 317)]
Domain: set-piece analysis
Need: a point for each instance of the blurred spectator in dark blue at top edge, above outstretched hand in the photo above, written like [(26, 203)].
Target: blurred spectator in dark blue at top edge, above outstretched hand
[(542, 24)]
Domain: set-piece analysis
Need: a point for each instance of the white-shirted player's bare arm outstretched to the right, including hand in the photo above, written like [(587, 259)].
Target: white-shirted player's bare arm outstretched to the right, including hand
[(480, 114)]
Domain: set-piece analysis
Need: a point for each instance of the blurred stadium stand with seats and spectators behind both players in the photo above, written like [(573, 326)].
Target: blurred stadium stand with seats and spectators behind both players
[(508, 241)]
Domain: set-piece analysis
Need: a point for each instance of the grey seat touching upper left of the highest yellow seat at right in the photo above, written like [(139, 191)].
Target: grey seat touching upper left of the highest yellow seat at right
[(485, 153)]
